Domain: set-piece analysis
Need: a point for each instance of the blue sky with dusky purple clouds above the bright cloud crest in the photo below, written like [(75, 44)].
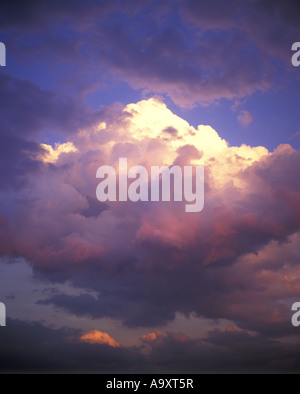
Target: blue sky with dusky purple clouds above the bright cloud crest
[(84, 56)]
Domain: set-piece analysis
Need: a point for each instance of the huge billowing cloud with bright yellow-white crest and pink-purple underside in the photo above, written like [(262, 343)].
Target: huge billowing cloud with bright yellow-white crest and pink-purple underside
[(146, 262)]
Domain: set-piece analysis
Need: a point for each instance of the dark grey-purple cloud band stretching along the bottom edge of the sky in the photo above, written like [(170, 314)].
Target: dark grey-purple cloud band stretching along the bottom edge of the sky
[(32, 347)]
